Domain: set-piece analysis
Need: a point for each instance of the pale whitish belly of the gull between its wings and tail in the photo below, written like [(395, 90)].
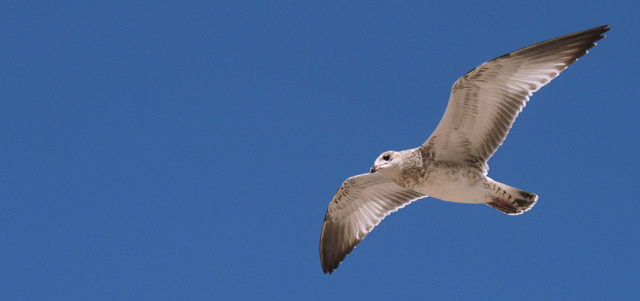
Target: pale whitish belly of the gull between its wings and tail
[(460, 187)]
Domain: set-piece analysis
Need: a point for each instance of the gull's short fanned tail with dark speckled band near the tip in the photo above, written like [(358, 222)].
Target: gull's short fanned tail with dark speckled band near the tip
[(511, 200)]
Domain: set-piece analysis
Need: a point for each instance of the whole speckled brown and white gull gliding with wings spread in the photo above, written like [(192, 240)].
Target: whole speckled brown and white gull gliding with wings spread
[(452, 164)]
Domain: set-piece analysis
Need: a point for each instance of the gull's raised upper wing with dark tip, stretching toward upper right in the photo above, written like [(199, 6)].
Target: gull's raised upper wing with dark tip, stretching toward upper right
[(485, 102)]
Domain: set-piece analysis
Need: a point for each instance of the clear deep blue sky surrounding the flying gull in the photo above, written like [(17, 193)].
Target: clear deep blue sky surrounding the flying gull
[(170, 150)]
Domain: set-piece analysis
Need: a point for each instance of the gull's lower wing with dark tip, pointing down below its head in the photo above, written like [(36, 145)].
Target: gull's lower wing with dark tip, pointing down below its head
[(359, 205)]
